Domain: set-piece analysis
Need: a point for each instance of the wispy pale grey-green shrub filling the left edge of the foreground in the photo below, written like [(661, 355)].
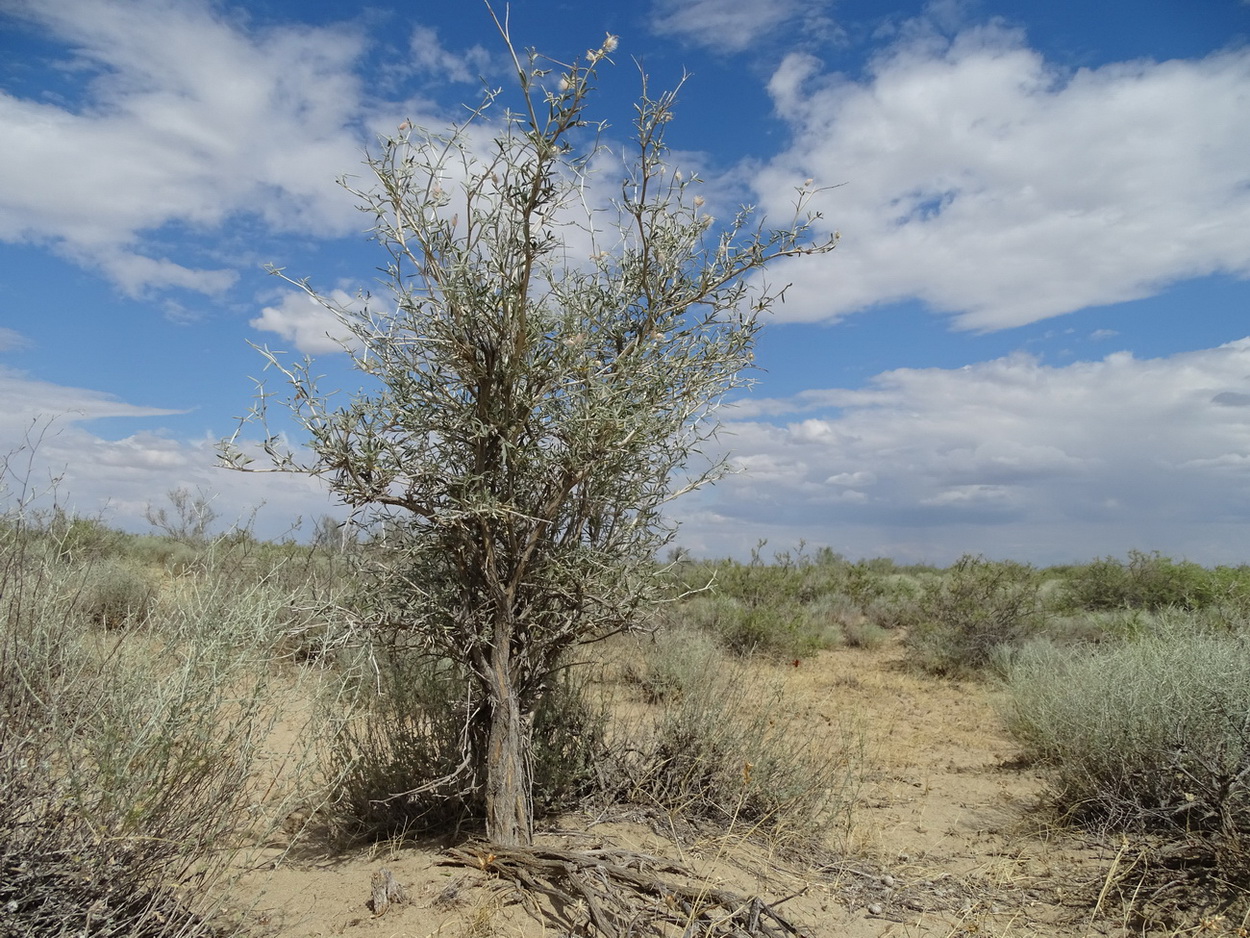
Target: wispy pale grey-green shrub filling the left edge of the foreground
[(127, 761)]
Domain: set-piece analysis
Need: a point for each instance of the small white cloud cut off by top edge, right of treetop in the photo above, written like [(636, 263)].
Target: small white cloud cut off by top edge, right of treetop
[(732, 26)]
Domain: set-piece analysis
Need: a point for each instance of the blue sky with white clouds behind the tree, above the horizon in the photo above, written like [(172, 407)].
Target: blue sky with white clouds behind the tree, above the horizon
[(1032, 342)]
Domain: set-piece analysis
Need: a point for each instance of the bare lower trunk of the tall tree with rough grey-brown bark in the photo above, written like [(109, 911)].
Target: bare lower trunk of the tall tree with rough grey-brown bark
[(509, 782)]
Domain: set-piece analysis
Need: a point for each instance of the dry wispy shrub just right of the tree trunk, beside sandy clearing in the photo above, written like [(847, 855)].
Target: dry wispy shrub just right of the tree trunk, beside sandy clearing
[(726, 755)]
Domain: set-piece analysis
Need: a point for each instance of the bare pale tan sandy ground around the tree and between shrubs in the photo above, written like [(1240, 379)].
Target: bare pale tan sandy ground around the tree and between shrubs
[(944, 839)]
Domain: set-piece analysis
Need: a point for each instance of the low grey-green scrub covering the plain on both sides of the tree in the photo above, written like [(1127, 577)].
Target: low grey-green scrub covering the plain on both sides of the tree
[(143, 677)]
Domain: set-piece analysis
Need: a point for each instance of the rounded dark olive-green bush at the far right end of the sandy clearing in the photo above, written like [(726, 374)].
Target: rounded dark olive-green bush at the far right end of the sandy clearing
[(958, 621)]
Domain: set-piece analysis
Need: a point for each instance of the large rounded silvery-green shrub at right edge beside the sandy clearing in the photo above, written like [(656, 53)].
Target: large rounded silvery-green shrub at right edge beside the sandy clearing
[(1148, 734)]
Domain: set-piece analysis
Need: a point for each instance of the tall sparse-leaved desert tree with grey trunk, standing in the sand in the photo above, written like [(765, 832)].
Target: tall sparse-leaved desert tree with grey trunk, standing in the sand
[(543, 372)]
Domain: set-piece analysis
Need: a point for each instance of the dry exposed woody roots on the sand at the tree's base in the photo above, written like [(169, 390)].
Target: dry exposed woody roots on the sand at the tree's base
[(624, 892)]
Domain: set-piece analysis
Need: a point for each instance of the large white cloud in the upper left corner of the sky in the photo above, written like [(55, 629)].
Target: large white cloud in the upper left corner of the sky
[(189, 121)]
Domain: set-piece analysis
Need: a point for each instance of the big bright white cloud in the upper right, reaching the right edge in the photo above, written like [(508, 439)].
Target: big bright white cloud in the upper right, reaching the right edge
[(994, 187)]
